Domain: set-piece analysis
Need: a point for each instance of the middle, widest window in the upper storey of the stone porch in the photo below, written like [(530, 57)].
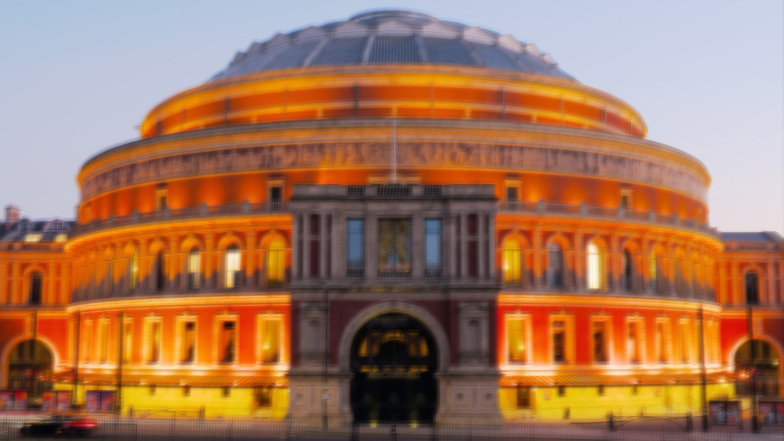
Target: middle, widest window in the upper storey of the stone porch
[(394, 247)]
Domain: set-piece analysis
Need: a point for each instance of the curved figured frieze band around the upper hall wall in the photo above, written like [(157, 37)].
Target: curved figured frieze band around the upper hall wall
[(410, 154)]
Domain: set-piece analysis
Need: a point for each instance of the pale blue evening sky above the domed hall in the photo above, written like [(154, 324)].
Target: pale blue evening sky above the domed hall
[(78, 77)]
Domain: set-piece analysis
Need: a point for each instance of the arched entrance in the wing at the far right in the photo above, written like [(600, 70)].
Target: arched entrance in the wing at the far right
[(764, 370)]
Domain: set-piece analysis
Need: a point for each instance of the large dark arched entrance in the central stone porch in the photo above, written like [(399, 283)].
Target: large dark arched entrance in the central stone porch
[(393, 361)]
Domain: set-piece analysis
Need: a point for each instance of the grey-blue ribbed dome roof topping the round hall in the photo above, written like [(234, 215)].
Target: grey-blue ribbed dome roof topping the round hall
[(393, 37)]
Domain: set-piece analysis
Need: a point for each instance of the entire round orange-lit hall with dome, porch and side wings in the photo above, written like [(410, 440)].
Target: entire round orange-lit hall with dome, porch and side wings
[(390, 216)]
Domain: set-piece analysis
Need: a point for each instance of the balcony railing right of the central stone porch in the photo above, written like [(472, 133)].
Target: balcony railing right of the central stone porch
[(585, 210)]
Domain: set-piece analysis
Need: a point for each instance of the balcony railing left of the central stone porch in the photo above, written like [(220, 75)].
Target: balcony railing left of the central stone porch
[(204, 210)]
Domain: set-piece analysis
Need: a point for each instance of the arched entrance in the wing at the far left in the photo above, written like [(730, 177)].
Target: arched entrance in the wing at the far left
[(27, 362)]
